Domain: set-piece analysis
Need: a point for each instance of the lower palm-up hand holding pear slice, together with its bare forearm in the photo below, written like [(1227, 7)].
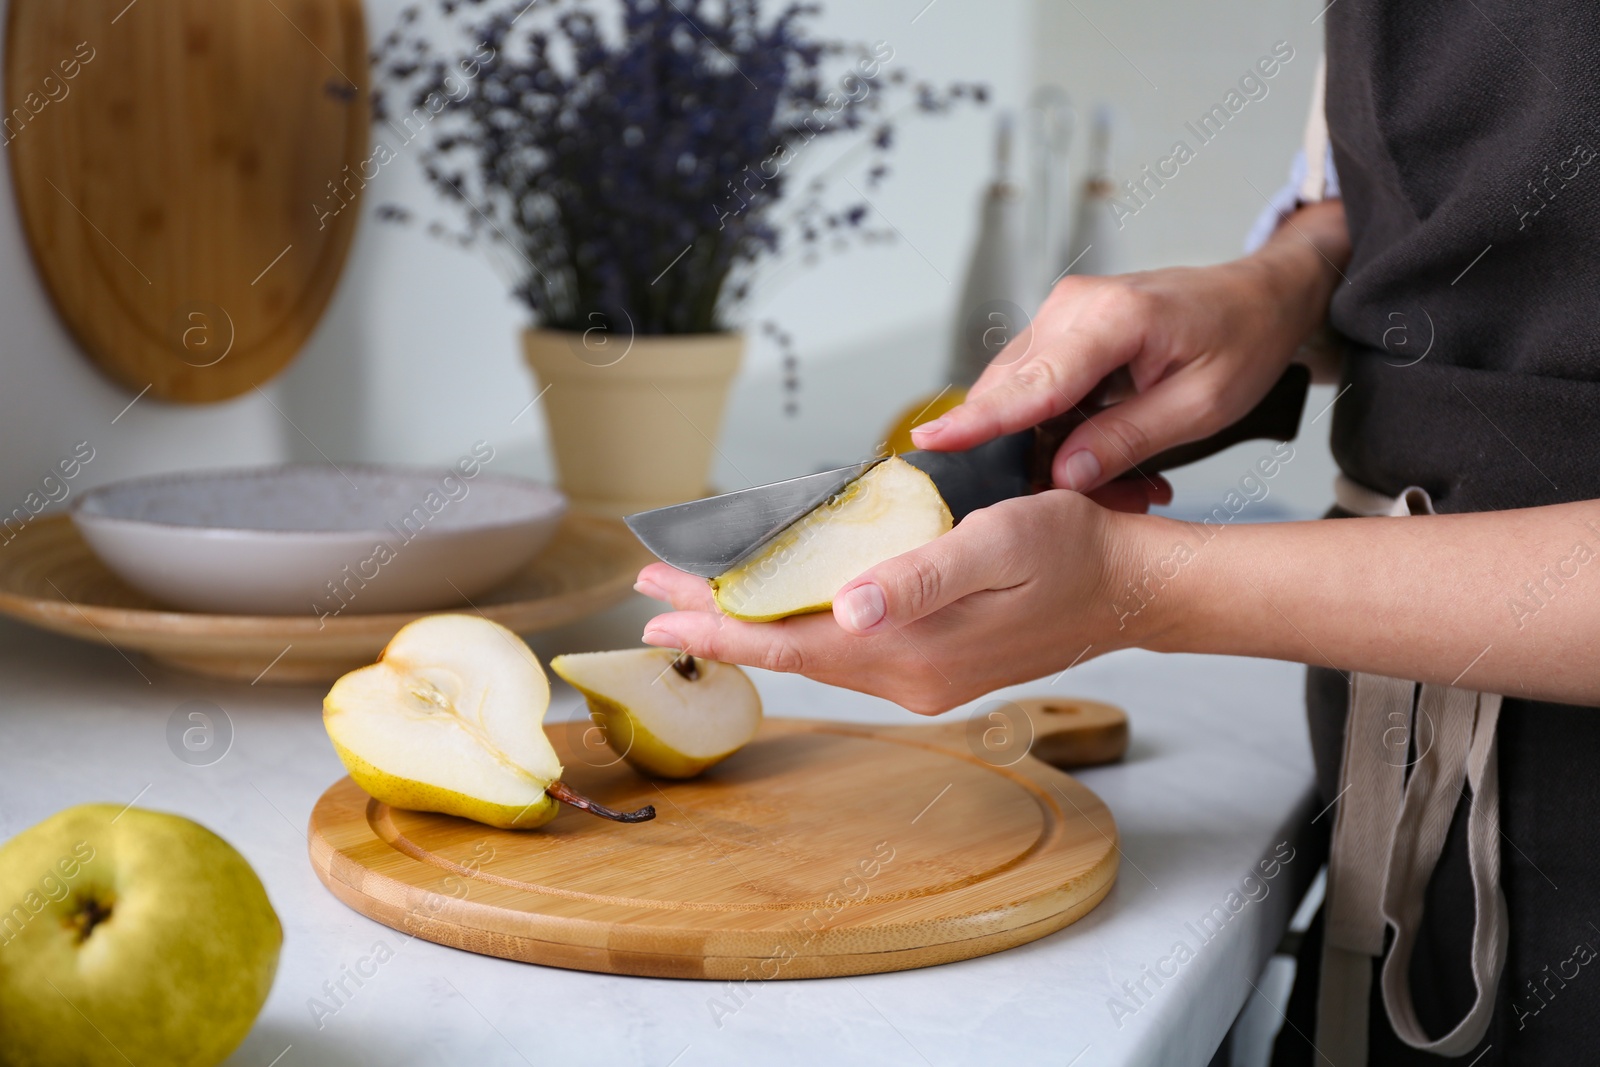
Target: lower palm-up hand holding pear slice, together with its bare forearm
[(1036, 585)]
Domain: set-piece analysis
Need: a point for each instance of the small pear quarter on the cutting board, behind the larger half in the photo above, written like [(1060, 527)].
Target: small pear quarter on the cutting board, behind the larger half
[(666, 714)]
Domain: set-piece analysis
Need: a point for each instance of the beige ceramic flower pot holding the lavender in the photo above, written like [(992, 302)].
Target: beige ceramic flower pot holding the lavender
[(633, 423)]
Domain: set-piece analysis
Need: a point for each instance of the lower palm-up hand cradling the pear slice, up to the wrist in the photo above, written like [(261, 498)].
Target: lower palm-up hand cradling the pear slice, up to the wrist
[(1015, 593)]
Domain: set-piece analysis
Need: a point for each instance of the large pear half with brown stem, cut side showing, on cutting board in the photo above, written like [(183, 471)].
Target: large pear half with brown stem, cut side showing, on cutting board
[(450, 719)]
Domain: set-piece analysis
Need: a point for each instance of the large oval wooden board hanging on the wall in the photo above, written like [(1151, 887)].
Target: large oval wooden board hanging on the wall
[(188, 174)]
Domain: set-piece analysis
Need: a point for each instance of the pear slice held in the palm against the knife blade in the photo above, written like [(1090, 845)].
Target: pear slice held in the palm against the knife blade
[(889, 511)]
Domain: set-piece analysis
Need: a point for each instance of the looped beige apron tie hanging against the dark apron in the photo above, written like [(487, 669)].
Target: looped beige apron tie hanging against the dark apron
[(1466, 746)]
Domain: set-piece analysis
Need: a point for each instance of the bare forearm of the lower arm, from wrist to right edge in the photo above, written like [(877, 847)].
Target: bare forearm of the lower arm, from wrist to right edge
[(1500, 602)]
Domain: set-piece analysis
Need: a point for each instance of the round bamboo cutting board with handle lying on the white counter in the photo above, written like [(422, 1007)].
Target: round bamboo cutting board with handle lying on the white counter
[(818, 850)]
